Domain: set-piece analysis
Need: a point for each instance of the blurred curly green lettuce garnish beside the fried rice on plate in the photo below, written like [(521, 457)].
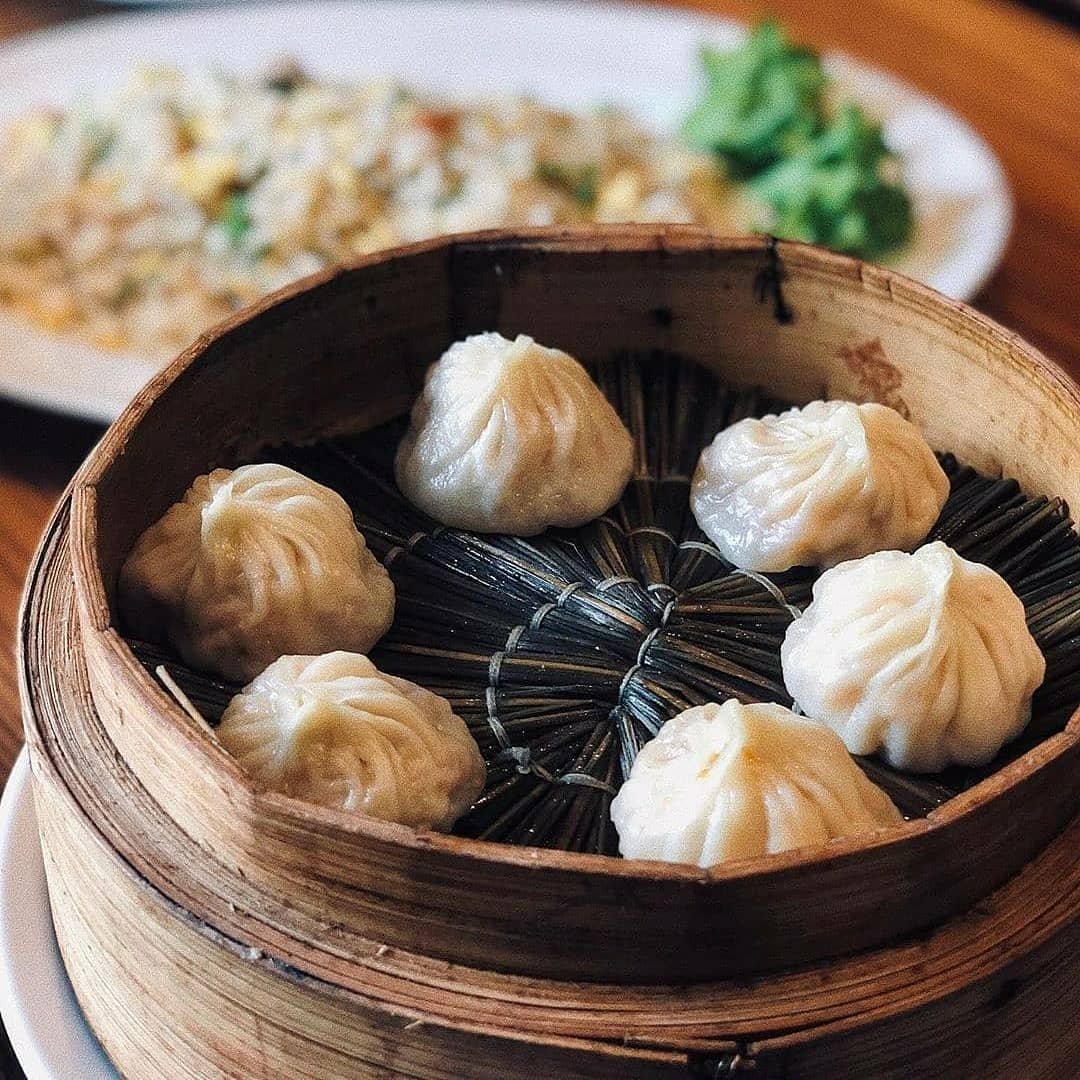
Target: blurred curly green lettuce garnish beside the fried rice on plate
[(763, 115)]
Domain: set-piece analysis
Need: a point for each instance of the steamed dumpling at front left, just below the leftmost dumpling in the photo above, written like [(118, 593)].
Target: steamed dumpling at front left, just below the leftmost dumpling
[(336, 732)]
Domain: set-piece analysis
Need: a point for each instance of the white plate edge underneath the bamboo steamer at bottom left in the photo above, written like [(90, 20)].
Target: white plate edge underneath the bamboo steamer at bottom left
[(45, 1023)]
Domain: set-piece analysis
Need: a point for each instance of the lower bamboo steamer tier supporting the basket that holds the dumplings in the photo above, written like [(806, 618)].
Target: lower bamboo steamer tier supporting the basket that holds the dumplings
[(181, 978)]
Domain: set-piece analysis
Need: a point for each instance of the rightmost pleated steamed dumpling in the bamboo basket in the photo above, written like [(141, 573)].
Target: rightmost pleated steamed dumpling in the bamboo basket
[(925, 658)]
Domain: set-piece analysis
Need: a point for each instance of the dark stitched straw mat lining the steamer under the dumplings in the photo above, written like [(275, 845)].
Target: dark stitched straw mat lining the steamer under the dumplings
[(587, 641)]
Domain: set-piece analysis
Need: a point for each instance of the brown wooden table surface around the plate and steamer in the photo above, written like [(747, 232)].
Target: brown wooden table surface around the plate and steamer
[(1016, 76)]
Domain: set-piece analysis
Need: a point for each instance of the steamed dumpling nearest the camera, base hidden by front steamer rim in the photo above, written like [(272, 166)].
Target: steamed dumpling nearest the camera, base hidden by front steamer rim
[(735, 781)]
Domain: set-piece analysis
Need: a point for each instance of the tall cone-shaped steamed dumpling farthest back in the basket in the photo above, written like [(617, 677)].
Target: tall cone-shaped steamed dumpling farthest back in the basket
[(510, 437)]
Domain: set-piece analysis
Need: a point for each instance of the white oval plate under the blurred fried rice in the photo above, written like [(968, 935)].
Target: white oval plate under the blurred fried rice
[(574, 56)]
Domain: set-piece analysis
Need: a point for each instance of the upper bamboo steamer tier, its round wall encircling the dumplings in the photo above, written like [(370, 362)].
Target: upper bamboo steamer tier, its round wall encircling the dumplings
[(347, 350)]
